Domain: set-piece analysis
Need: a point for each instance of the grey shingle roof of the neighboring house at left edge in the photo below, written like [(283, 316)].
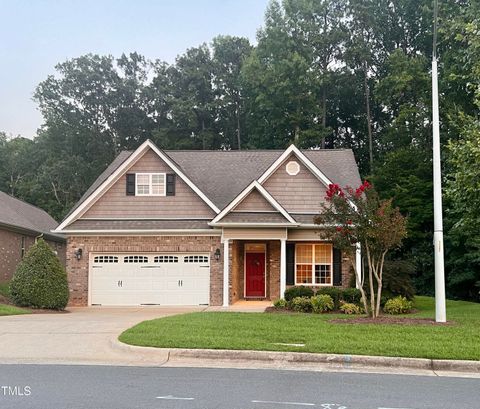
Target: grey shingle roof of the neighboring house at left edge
[(18, 214)]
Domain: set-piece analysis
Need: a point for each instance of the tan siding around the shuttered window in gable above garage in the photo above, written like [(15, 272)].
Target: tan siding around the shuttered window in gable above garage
[(115, 202)]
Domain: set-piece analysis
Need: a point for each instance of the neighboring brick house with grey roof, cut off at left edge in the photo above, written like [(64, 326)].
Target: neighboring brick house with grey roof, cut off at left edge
[(20, 224)]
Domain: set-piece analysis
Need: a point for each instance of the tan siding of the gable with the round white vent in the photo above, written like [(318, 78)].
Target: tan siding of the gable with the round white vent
[(300, 193)]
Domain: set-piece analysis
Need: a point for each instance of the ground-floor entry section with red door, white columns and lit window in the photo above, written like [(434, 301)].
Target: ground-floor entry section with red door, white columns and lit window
[(259, 264)]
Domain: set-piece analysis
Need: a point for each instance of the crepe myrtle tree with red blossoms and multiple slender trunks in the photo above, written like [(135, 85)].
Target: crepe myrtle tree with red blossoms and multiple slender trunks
[(357, 217)]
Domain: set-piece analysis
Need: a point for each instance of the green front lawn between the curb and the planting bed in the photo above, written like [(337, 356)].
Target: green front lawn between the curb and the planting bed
[(263, 331)]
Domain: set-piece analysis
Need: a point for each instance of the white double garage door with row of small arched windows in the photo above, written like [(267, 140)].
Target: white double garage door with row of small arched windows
[(163, 279)]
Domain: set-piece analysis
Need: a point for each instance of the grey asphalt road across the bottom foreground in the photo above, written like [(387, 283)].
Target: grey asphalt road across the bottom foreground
[(98, 387)]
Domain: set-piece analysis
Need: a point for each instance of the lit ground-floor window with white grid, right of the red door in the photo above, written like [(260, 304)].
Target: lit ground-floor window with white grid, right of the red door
[(313, 264)]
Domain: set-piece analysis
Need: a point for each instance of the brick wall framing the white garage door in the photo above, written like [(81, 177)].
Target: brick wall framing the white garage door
[(78, 269)]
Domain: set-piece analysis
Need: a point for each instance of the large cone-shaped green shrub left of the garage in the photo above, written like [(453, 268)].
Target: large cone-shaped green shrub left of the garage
[(40, 281)]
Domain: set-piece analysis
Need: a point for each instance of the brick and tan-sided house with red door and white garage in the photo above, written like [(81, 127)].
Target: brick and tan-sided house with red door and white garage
[(204, 227)]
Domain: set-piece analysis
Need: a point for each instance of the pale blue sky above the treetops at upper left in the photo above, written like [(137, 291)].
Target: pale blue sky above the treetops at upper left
[(35, 35)]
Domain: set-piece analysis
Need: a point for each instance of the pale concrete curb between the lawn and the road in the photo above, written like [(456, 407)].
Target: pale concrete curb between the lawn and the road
[(292, 358)]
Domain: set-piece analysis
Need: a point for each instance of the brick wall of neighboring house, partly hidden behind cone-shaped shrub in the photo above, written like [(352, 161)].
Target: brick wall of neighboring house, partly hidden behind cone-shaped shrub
[(11, 251)]
